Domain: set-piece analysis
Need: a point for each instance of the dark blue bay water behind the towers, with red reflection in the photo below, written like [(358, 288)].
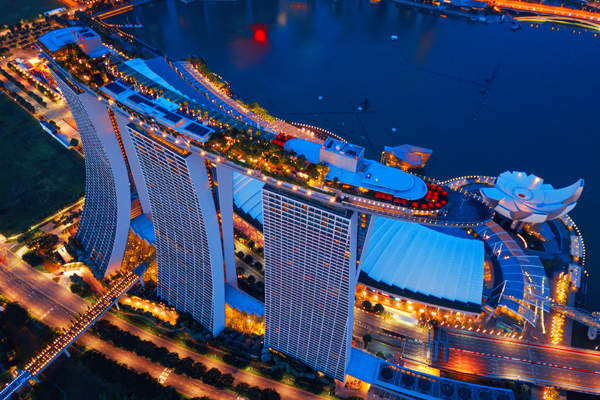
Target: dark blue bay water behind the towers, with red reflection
[(540, 117)]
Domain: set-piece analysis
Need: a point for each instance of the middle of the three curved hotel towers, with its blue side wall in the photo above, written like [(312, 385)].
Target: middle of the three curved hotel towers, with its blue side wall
[(189, 255)]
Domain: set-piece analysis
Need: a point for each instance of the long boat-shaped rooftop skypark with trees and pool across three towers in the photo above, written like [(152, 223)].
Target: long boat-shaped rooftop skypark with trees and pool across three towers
[(157, 96)]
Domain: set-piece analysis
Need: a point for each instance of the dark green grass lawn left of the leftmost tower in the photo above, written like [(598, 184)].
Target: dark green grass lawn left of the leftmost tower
[(38, 175)]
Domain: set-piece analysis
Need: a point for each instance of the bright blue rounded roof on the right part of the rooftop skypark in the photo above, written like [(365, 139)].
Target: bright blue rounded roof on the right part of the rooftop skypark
[(369, 174)]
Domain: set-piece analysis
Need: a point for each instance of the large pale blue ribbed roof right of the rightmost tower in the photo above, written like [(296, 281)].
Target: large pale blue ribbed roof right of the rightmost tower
[(412, 257)]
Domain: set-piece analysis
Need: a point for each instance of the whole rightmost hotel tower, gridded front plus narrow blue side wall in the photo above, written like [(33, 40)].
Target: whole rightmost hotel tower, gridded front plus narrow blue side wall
[(310, 276)]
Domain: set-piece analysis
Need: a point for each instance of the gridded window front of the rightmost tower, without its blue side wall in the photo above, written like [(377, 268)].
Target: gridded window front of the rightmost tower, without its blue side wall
[(309, 315)]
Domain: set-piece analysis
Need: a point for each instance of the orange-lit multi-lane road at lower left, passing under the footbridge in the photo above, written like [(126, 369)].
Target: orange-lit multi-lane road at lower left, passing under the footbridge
[(56, 305)]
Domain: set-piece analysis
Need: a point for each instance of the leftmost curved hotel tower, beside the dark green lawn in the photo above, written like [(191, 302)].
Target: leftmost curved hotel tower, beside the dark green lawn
[(104, 223)]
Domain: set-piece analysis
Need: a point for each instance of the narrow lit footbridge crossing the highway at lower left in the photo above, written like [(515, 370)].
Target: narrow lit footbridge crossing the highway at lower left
[(60, 345)]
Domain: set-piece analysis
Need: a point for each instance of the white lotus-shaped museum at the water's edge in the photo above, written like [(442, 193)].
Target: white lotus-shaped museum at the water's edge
[(526, 198)]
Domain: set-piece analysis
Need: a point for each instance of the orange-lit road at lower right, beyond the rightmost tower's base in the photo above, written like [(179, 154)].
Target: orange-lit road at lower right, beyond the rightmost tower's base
[(492, 356)]
